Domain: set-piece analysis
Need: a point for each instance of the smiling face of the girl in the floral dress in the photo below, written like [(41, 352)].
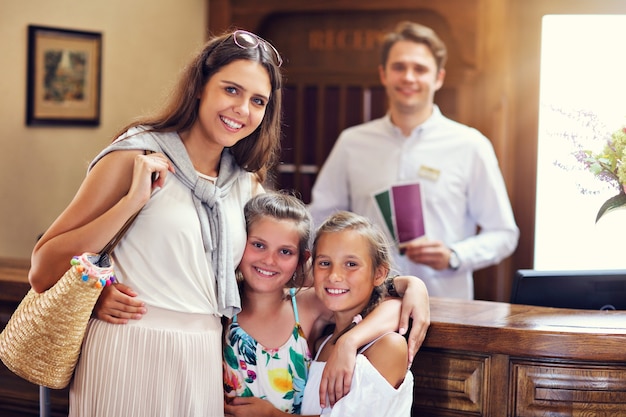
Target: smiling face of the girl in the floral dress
[(271, 255)]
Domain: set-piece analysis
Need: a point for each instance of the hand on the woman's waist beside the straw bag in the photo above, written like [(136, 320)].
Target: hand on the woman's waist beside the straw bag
[(117, 304)]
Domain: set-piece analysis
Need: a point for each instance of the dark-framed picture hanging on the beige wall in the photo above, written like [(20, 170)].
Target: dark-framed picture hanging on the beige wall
[(64, 76)]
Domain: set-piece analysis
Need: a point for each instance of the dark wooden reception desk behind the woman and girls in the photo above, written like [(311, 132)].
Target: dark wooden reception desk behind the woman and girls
[(479, 358)]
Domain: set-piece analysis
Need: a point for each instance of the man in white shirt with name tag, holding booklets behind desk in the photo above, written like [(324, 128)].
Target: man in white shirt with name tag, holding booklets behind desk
[(461, 184)]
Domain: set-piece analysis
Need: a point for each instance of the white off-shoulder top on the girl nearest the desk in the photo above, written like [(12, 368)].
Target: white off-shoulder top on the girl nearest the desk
[(369, 392)]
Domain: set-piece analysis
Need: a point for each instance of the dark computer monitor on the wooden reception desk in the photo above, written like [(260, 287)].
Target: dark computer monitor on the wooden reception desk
[(587, 290)]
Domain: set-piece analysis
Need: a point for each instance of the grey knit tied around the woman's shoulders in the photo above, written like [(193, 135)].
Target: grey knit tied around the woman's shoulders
[(207, 197)]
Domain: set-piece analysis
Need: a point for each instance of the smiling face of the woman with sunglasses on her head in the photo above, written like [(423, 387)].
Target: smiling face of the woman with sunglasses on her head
[(233, 103)]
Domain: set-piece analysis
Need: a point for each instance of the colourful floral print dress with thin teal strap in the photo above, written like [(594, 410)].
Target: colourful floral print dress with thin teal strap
[(277, 375)]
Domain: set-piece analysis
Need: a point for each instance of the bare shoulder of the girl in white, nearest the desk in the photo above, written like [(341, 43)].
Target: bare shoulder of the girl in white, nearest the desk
[(388, 355)]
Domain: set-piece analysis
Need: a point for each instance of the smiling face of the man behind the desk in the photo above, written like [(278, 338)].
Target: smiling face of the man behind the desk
[(411, 78)]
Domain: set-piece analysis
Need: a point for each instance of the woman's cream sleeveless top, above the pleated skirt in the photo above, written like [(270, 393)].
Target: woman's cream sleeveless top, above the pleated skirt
[(162, 255)]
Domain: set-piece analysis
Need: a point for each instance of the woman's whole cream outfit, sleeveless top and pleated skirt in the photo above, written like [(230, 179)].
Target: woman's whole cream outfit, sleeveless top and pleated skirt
[(169, 363)]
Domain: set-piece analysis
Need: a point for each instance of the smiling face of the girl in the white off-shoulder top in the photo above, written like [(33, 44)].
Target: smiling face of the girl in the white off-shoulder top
[(343, 272)]
